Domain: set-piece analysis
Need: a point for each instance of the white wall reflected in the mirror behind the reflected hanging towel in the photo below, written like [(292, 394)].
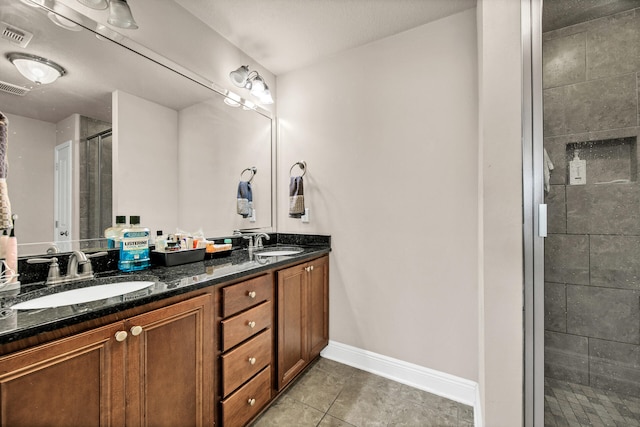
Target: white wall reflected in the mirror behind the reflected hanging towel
[(217, 143)]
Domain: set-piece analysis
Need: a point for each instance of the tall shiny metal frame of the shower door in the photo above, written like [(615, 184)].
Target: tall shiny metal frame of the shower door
[(534, 211)]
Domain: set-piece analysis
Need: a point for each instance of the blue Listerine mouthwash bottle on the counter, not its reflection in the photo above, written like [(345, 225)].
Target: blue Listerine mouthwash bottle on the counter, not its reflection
[(134, 246)]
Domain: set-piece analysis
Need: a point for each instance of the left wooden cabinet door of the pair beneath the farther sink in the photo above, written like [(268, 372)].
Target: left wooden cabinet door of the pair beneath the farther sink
[(293, 352)]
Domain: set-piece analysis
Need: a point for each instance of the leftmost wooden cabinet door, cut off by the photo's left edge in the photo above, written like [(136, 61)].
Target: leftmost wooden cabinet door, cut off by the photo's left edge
[(76, 381)]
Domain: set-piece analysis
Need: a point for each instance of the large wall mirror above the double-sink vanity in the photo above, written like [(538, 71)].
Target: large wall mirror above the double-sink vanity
[(122, 132)]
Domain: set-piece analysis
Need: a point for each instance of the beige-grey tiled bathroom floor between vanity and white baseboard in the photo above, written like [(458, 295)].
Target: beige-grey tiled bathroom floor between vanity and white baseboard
[(331, 394)]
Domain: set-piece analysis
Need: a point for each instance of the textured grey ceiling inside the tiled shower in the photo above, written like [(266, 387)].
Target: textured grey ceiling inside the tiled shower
[(563, 13)]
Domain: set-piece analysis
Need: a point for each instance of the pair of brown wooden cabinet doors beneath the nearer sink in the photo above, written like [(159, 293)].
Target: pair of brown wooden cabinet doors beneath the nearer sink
[(151, 369)]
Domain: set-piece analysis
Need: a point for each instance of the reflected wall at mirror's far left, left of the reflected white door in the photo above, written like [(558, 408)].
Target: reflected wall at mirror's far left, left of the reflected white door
[(30, 154)]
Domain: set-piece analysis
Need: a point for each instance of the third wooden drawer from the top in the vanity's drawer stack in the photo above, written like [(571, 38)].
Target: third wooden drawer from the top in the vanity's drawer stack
[(245, 361)]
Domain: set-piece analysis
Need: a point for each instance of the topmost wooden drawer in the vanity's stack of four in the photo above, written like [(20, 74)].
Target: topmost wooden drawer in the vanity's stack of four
[(243, 295)]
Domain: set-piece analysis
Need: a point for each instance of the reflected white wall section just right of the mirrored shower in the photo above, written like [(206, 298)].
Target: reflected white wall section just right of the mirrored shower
[(145, 149)]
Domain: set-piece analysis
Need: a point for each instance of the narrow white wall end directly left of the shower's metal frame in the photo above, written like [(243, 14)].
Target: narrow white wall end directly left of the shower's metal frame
[(500, 192)]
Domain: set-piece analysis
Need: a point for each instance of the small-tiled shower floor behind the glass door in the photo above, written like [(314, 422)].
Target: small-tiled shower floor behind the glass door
[(568, 404)]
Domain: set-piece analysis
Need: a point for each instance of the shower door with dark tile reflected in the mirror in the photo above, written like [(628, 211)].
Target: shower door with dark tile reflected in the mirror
[(96, 185)]
